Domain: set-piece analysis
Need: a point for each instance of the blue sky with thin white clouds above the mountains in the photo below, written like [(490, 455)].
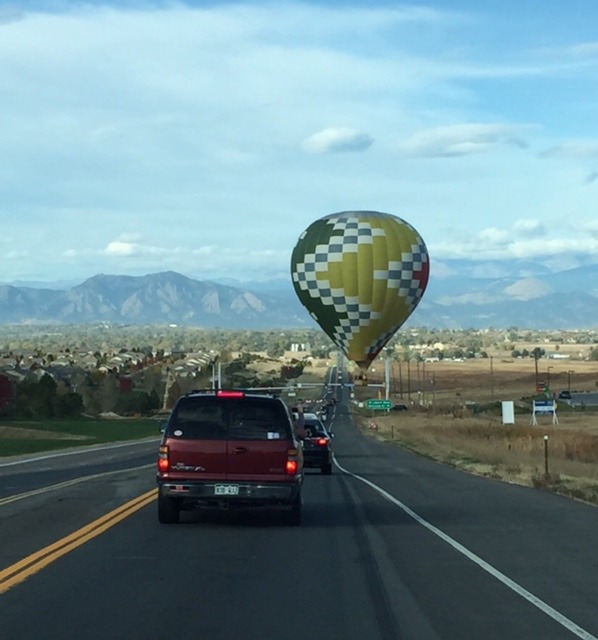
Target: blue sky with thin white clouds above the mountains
[(204, 137)]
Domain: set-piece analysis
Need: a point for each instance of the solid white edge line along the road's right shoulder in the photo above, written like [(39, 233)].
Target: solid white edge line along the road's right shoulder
[(495, 573)]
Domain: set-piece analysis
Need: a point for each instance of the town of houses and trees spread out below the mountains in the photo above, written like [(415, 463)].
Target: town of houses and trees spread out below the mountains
[(56, 370)]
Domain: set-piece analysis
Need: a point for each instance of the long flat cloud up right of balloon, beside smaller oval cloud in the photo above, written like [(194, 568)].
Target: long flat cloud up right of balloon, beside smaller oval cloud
[(461, 140)]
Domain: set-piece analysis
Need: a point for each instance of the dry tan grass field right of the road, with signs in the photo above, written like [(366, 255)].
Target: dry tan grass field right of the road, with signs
[(455, 417)]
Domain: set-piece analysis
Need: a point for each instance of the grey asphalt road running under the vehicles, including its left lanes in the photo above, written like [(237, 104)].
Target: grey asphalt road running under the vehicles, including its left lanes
[(393, 547)]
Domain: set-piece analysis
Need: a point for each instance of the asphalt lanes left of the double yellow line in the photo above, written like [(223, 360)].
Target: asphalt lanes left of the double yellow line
[(45, 497)]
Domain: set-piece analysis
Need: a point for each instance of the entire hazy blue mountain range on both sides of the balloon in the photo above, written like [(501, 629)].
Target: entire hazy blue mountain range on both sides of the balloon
[(461, 294)]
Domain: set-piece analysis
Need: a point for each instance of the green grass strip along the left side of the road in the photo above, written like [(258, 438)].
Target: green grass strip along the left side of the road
[(23, 437)]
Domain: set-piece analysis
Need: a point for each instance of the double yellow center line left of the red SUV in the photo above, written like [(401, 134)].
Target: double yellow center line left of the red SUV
[(30, 565)]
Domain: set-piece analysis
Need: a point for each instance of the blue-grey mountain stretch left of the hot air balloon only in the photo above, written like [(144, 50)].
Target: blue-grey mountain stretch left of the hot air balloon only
[(159, 298)]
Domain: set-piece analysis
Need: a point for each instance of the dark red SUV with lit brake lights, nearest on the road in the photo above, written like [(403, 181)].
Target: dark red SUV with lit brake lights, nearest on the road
[(229, 449)]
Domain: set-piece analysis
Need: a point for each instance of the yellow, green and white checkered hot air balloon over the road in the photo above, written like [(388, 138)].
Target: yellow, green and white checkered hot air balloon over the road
[(360, 274)]
